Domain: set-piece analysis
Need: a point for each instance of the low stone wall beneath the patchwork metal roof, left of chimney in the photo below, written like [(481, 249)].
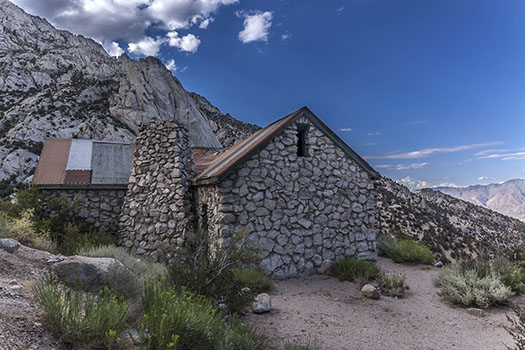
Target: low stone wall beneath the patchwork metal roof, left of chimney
[(100, 207)]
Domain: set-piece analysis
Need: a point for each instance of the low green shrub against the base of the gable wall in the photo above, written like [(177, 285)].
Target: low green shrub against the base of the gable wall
[(352, 268)]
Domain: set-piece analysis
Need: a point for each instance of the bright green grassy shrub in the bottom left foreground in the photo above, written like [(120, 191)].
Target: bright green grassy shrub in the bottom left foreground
[(78, 318)]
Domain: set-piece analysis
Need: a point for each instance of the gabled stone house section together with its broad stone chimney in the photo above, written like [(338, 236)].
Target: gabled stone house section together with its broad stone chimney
[(294, 187)]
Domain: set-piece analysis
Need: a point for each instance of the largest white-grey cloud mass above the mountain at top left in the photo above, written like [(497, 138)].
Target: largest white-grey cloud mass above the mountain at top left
[(107, 21)]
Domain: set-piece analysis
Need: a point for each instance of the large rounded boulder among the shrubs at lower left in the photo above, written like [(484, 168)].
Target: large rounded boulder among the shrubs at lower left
[(90, 274)]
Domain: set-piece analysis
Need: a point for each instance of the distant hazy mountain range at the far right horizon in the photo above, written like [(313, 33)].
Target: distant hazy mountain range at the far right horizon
[(507, 198)]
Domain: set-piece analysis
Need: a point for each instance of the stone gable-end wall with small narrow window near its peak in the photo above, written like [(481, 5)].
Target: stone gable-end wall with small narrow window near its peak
[(300, 211)]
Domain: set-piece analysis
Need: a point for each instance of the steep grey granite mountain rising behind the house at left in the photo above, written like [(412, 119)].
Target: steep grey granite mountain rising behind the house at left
[(56, 84)]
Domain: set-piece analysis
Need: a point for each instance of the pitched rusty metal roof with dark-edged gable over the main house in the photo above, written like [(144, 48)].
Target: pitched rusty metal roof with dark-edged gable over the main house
[(241, 151)]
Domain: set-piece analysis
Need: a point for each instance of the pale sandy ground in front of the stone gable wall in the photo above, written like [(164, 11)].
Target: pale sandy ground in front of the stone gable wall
[(336, 313)]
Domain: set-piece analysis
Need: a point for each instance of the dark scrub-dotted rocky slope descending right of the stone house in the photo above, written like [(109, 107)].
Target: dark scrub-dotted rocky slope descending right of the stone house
[(452, 227)]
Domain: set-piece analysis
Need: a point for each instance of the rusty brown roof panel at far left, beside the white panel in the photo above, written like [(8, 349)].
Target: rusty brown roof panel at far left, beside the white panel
[(53, 161)]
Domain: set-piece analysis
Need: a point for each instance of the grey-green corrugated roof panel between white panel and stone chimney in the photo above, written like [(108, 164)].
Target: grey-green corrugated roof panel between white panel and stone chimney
[(111, 163)]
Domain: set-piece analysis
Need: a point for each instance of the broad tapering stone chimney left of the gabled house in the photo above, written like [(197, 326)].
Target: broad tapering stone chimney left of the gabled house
[(158, 204)]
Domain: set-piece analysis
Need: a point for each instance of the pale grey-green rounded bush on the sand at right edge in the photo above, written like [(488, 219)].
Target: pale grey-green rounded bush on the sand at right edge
[(471, 285)]
